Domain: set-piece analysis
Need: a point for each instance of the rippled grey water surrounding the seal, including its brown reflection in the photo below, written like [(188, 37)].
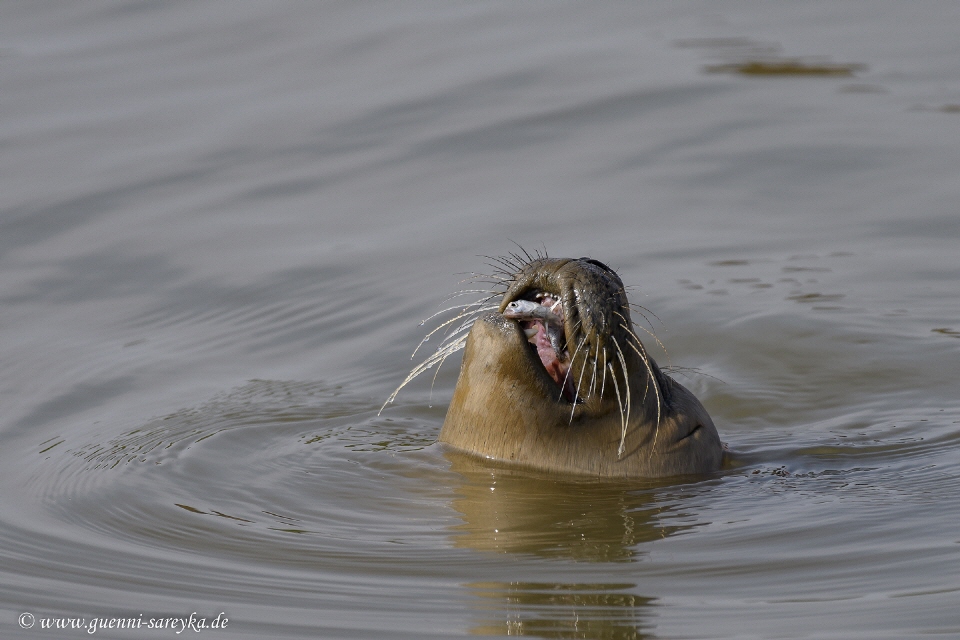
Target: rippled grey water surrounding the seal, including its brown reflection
[(221, 226)]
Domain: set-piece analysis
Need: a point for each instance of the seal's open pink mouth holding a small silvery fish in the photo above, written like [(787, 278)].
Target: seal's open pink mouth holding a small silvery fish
[(542, 318)]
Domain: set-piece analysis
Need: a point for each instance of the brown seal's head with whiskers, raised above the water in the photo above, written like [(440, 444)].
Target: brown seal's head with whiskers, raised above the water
[(555, 378)]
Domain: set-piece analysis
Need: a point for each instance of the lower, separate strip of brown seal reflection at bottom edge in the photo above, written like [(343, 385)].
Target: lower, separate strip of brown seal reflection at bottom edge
[(546, 610)]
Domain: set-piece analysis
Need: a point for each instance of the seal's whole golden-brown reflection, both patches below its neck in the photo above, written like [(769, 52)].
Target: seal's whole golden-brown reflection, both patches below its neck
[(508, 510)]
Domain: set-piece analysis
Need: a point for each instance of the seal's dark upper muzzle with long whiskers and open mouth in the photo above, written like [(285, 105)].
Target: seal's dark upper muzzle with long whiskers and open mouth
[(575, 320)]
